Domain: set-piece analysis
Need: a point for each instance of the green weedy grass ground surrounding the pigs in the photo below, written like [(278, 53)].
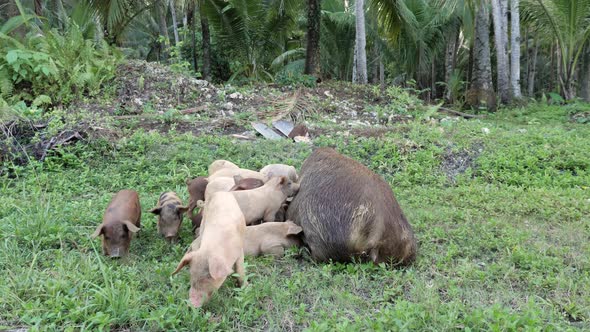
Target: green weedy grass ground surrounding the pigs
[(502, 217)]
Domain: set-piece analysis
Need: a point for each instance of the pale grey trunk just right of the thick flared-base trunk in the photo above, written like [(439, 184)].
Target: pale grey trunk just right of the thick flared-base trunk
[(501, 39)]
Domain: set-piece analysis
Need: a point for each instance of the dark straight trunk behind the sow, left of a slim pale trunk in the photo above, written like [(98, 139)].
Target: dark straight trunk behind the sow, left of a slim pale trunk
[(312, 57)]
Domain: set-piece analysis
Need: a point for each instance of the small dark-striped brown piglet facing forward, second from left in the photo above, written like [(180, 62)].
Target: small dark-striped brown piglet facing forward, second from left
[(170, 212)]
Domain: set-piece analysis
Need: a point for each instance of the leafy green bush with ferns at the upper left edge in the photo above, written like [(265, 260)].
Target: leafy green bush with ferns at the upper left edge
[(60, 67)]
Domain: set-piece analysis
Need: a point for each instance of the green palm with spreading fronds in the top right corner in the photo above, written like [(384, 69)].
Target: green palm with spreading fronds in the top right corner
[(567, 22)]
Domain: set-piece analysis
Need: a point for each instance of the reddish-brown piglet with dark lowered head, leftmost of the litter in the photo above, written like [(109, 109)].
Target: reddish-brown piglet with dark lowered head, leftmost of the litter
[(121, 219)]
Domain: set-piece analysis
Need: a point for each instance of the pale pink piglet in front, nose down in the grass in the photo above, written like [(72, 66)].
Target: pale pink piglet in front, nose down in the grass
[(221, 250)]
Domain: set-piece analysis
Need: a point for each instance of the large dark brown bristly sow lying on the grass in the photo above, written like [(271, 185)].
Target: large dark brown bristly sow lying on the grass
[(347, 211)]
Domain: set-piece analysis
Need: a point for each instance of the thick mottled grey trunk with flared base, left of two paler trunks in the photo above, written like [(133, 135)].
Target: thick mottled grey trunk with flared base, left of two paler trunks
[(481, 92)]
